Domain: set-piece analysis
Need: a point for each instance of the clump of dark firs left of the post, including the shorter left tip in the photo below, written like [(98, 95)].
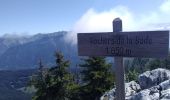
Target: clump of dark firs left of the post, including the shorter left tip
[(55, 83)]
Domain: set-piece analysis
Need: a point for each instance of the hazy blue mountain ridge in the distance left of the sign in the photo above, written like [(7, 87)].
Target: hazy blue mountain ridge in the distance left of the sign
[(25, 52)]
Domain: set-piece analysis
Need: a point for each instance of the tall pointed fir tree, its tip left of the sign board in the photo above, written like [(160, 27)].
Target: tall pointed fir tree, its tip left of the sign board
[(61, 79)]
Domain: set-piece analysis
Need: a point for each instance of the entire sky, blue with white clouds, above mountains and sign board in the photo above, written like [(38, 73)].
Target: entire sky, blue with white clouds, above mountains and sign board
[(45, 16)]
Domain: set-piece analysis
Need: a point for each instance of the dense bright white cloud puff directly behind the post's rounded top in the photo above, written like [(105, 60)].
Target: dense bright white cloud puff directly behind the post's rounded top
[(93, 21)]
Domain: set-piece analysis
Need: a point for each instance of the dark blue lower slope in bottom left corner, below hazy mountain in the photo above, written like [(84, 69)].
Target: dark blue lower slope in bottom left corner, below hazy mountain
[(11, 81)]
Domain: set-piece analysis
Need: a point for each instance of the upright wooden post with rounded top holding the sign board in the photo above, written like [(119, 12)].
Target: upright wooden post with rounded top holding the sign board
[(119, 69)]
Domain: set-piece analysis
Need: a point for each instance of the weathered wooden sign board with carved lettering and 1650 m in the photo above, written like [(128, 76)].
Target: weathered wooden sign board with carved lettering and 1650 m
[(124, 44)]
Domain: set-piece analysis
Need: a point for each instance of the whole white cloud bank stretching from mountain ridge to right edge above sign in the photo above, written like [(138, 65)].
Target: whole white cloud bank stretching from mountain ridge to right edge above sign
[(93, 21)]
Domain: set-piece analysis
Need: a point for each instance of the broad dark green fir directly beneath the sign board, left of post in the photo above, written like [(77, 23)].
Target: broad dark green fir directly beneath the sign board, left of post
[(97, 78)]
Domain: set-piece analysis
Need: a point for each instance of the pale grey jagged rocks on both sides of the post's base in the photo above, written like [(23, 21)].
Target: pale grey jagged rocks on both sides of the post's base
[(153, 85)]
